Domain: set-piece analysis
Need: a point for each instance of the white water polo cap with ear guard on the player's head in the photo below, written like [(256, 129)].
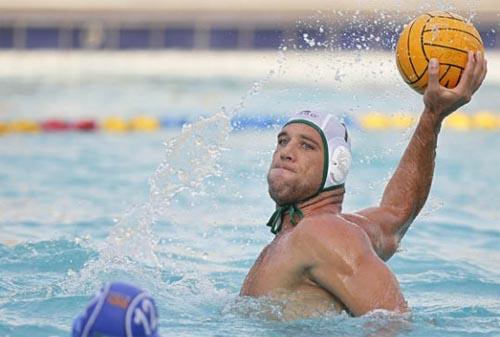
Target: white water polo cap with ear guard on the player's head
[(336, 143)]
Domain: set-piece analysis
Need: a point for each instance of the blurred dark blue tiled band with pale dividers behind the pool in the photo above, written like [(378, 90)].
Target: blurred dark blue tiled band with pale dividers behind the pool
[(123, 36)]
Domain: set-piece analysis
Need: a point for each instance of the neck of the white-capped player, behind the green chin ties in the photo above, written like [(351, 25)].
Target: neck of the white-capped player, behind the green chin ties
[(328, 201)]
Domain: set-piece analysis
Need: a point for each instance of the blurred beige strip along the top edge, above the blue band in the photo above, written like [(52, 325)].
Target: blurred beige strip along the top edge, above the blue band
[(280, 9)]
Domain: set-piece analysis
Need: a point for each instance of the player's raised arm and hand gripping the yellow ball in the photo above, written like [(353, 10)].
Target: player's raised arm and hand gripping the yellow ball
[(407, 190)]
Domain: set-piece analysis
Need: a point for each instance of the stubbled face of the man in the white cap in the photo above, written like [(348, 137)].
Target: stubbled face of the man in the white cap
[(296, 171)]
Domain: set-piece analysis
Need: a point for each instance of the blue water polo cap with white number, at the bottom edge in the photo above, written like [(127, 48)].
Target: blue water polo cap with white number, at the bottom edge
[(118, 310)]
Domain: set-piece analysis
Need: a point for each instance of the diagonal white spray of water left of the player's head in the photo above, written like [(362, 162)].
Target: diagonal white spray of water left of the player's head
[(190, 160)]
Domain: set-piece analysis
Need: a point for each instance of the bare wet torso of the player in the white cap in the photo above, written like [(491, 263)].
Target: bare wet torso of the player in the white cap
[(325, 254)]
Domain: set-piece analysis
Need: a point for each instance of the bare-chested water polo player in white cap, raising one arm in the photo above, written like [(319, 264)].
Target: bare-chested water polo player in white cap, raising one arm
[(322, 259)]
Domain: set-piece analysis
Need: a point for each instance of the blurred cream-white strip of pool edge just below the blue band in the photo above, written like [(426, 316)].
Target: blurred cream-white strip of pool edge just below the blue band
[(339, 68)]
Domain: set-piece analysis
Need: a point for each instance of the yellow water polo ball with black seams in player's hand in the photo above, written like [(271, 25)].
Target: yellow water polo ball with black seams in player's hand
[(442, 35)]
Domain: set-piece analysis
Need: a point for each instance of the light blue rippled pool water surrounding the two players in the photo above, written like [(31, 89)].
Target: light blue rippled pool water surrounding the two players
[(187, 219)]
